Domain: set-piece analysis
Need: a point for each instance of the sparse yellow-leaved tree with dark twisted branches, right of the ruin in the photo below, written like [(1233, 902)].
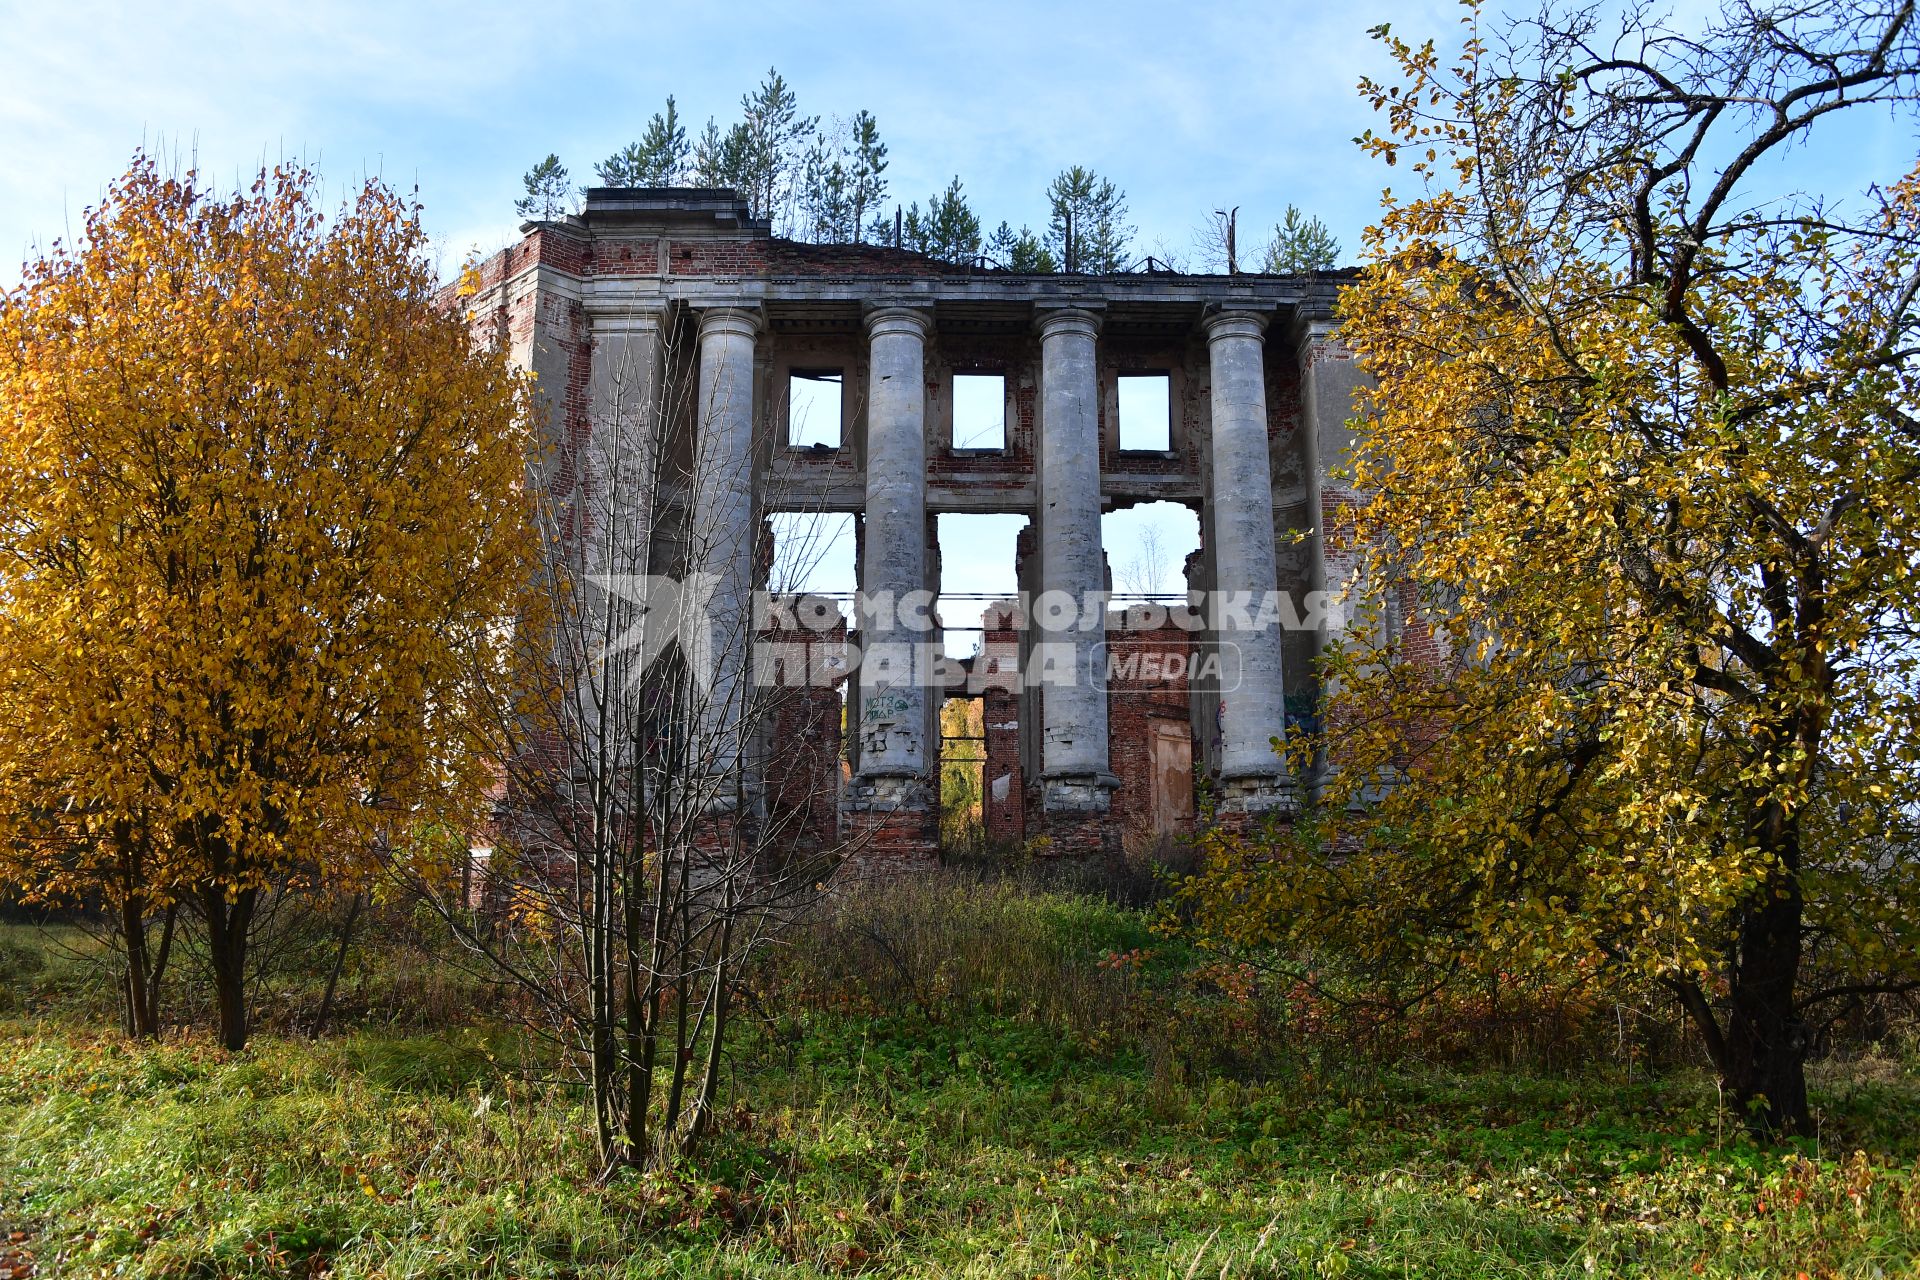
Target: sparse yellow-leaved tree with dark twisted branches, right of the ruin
[(1646, 463)]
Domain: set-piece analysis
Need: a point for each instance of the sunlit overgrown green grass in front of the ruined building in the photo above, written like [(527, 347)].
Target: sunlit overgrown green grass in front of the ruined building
[(959, 1083)]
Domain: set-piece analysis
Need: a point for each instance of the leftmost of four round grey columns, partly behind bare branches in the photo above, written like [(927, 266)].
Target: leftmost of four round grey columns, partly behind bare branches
[(721, 536)]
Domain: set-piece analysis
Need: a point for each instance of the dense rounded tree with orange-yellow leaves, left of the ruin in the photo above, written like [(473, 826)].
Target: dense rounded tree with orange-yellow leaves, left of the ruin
[(264, 511)]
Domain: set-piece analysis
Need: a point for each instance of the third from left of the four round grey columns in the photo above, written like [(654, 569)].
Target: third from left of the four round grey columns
[(1070, 611)]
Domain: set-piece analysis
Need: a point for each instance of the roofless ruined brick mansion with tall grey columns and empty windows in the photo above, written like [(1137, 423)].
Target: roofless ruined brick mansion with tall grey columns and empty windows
[(1136, 709)]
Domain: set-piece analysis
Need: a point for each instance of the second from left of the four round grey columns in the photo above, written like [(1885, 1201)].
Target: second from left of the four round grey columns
[(894, 676)]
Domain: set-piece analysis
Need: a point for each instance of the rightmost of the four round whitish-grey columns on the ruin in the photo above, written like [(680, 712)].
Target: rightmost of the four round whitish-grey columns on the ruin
[(1245, 573)]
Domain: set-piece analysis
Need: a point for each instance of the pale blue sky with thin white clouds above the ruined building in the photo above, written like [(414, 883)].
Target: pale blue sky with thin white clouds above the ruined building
[(1188, 108)]
